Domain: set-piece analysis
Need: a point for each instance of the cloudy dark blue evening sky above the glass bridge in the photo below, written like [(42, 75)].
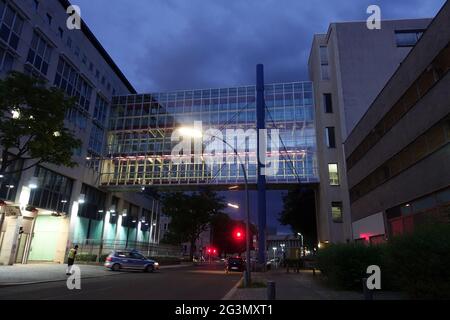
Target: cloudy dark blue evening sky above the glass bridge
[(163, 45)]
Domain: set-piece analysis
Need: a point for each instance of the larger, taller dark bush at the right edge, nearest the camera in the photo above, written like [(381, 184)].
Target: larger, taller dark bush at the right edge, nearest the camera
[(419, 263)]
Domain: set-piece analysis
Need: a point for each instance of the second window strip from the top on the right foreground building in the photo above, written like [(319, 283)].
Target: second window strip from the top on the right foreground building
[(432, 140)]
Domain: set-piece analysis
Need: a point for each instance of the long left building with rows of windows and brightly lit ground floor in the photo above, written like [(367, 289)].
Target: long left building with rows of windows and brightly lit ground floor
[(67, 206)]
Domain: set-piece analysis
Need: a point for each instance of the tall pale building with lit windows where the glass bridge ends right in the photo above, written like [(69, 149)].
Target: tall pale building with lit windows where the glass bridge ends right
[(349, 65)]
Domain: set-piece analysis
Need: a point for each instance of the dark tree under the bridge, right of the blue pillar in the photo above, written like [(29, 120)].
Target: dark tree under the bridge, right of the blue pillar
[(299, 212)]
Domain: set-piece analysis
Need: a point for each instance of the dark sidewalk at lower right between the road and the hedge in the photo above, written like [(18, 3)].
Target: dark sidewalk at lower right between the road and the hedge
[(301, 286)]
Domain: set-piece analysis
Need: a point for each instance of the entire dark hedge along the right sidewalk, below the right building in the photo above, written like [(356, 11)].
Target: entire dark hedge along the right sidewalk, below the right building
[(417, 263)]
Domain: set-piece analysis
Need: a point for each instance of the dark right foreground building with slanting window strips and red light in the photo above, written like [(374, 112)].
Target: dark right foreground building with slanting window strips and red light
[(398, 154)]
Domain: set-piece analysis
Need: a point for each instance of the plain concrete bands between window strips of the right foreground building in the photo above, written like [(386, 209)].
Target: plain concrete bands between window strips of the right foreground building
[(429, 174)]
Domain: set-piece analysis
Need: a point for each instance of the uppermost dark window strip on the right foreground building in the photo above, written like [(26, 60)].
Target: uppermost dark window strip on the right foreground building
[(428, 78)]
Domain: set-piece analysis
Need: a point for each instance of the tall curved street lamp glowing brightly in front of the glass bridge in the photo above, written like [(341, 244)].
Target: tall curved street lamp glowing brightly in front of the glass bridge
[(195, 133)]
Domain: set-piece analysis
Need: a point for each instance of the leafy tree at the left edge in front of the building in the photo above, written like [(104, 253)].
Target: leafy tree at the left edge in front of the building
[(32, 124)]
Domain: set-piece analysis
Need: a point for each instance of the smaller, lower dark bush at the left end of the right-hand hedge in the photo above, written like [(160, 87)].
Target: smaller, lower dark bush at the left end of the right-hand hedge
[(344, 265)]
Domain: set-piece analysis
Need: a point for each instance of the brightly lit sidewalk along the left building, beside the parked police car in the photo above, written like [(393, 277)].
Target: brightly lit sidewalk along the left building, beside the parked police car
[(21, 274)]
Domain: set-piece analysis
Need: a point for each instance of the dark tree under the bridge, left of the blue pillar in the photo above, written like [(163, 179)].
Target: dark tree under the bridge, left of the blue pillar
[(190, 215)]
